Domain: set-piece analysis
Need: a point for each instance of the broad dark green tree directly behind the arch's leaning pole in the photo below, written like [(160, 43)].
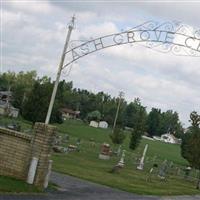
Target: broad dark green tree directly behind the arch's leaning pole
[(36, 105)]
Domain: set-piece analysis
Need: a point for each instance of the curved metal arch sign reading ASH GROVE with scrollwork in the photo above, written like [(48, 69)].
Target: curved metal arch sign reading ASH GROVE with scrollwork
[(166, 37)]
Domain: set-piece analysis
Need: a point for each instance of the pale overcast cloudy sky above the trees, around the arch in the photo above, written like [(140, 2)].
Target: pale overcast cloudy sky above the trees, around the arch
[(33, 33)]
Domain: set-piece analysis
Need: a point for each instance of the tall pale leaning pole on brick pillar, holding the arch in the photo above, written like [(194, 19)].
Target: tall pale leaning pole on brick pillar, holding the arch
[(70, 27)]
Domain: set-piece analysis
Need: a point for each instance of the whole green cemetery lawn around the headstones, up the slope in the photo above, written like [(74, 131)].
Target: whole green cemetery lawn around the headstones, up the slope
[(86, 165)]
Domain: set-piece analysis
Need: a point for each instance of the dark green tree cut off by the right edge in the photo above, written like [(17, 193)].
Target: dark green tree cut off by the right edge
[(190, 144)]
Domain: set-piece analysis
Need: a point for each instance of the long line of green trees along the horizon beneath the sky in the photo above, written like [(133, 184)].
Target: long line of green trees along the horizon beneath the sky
[(31, 94)]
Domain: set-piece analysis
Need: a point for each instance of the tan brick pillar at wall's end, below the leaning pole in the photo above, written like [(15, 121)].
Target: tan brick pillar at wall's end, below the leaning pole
[(42, 145)]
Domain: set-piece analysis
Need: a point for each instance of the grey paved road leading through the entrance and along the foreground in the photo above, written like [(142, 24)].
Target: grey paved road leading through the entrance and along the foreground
[(76, 189)]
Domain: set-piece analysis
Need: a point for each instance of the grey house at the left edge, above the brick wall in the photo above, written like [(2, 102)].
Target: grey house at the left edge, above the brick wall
[(6, 108)]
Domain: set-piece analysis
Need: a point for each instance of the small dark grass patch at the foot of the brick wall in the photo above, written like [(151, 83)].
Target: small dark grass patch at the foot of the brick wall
[(8, 184)]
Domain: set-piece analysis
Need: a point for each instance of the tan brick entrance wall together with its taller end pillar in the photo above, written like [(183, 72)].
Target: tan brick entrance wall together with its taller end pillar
[(17, 150)]
